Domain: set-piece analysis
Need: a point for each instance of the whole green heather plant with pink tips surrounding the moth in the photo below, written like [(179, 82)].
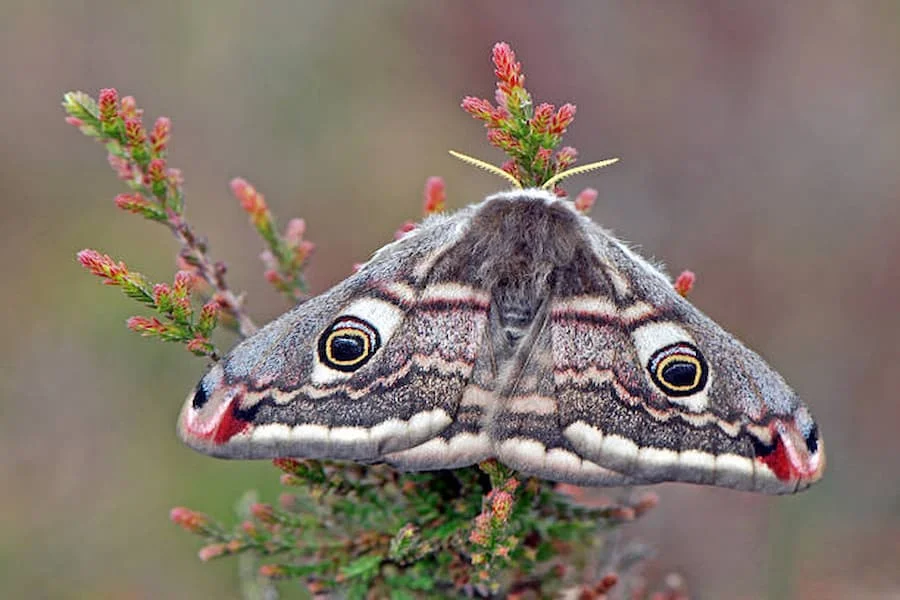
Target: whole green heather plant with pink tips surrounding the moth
[(351, 530)]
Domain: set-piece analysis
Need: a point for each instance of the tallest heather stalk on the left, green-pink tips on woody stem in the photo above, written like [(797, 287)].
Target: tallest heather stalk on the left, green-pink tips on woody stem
[(139, 159)]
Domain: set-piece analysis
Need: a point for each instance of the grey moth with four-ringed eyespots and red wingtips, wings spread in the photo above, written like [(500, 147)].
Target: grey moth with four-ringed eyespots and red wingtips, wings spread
[(516, 328)]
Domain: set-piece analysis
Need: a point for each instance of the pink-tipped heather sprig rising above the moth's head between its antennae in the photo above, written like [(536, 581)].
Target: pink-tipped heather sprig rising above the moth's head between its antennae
[(528, 134)]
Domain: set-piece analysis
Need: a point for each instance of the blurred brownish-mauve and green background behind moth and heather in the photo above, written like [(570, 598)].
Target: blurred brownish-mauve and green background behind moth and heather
[(760, 145)]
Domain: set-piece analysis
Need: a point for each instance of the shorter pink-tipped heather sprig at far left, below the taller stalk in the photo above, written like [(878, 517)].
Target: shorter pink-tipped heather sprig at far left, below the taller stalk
[(179, 322)]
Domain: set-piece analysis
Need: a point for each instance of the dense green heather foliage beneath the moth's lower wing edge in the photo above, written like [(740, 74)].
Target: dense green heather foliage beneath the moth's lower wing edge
[(371, 532)]
